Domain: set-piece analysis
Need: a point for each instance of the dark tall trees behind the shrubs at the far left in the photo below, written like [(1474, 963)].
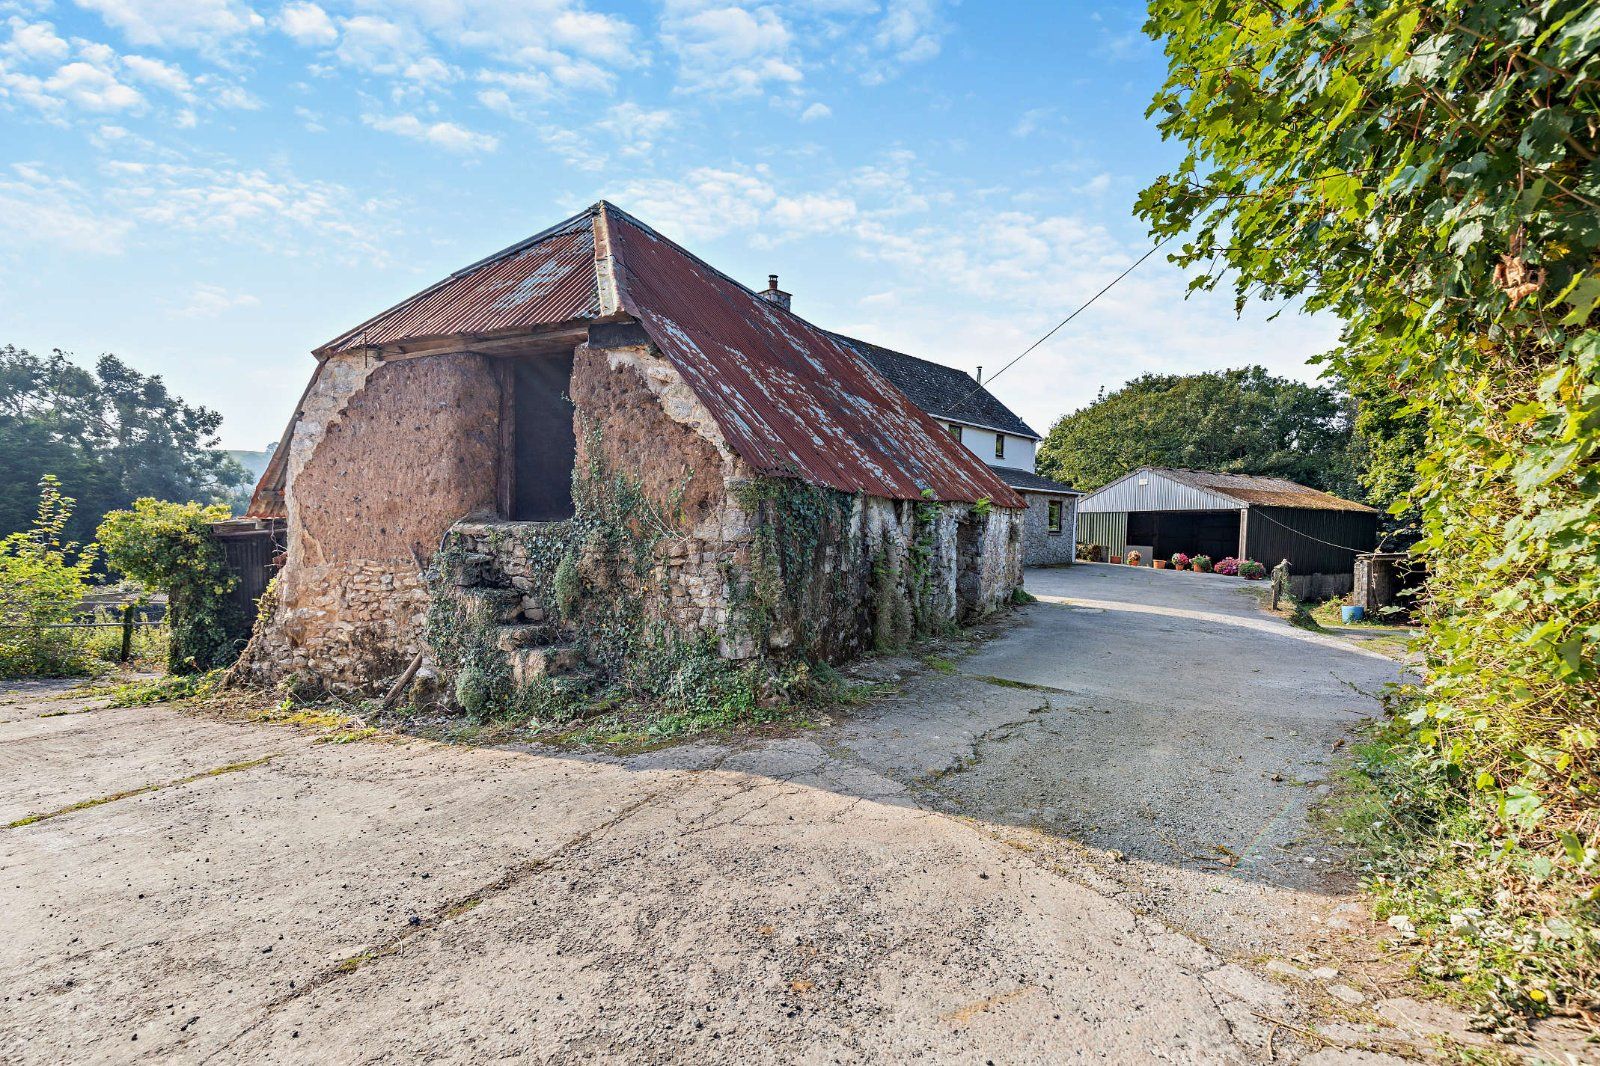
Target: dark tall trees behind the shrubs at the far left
[(110, 436)]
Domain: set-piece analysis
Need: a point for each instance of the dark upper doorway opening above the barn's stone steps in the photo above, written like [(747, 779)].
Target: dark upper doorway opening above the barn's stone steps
[(543, 444)]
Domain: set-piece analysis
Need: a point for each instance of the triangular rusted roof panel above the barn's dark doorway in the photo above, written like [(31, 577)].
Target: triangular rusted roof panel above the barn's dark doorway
[(542, 281)]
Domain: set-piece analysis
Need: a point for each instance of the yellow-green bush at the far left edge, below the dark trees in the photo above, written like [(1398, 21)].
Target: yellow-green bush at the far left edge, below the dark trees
[(42, 582)]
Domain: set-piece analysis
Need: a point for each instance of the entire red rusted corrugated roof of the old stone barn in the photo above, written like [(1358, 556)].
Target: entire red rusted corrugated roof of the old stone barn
[(791, 399)]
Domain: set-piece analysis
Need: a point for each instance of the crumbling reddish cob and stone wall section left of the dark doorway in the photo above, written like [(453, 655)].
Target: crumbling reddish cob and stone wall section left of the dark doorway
[(385, 459)]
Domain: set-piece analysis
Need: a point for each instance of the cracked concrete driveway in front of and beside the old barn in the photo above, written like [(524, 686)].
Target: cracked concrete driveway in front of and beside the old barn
[(1089, 844)]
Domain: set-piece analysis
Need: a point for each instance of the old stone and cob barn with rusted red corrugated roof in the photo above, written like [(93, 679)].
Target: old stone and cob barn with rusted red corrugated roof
[(593, 452)]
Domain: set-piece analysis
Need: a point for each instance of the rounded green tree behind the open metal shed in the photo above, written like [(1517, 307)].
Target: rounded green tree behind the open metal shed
[(1238, 422)]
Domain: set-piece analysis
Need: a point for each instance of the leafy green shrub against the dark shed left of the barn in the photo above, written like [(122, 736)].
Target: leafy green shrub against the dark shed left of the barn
[(170, 547)]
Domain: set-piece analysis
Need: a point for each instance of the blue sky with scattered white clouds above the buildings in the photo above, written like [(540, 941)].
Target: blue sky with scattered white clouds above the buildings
[(214, 188)]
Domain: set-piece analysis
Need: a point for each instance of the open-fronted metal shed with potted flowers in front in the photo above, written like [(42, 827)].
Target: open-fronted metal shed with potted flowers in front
[(1161, 511)]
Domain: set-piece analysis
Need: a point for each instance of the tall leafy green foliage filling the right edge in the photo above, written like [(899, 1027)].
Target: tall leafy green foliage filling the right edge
[(1428, 172)]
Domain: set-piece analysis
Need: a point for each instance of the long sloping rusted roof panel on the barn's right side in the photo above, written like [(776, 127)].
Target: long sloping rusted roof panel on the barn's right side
[(790, 399)]
